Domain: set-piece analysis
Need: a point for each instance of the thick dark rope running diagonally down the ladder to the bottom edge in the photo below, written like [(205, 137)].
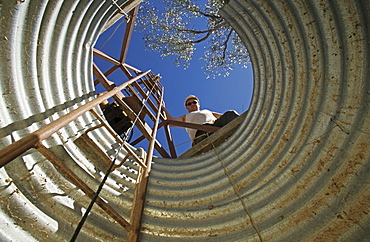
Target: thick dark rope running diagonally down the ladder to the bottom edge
[(86, 214)]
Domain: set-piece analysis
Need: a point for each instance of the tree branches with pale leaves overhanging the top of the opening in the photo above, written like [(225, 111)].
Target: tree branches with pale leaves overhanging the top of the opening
[(175, 30)]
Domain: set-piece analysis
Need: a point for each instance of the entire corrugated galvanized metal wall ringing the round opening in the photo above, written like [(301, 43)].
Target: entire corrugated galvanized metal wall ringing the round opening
[(297, 167)]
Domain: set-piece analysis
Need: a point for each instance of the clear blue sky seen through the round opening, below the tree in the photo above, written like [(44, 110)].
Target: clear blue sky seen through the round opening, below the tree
[(221, 94)]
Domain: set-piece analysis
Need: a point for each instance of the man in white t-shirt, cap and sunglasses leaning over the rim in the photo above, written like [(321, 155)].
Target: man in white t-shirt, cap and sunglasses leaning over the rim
[(204, 117)]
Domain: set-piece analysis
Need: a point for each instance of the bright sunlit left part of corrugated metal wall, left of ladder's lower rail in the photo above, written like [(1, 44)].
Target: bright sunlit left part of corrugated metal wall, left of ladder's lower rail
[(46, 71)]
